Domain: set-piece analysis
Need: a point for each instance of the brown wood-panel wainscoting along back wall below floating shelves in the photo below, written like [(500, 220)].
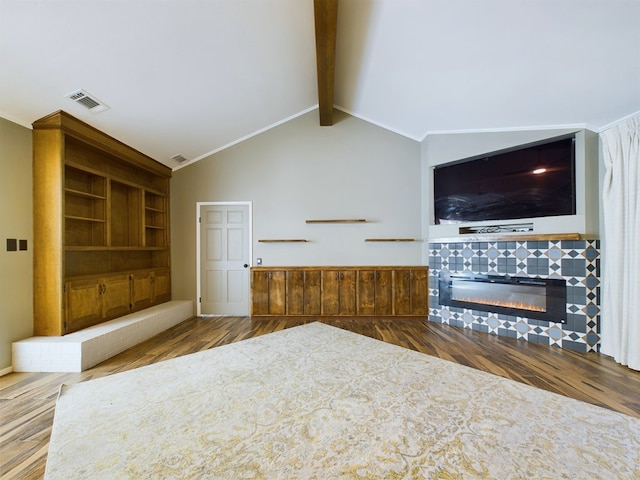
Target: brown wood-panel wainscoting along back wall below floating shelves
[(347, 291)]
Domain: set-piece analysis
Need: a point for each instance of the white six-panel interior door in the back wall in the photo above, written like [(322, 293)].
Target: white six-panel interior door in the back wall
[(225, 244)]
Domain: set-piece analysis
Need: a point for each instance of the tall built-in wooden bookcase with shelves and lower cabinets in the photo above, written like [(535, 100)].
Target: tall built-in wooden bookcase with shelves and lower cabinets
[(101, 212)]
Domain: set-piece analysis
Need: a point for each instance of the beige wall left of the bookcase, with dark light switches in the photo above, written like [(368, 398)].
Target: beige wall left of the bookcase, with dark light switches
[(16, 268)]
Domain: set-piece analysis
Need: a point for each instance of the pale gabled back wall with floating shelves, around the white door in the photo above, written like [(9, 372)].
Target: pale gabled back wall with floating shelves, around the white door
[(299, 171)]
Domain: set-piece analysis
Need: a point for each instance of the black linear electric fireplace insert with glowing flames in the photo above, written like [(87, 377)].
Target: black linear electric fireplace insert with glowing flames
[(539, 298)]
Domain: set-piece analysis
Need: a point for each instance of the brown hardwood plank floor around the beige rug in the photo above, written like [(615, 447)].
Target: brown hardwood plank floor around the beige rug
[(27, 400)]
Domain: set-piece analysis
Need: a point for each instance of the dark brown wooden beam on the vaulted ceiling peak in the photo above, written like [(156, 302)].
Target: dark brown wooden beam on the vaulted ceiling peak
[(326, 20)]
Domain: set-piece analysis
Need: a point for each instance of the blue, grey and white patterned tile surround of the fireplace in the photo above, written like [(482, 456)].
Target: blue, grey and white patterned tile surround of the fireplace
[(577, 261)]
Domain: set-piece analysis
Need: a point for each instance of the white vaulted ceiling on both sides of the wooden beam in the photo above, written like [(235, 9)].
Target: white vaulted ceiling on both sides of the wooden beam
[(191, 77)]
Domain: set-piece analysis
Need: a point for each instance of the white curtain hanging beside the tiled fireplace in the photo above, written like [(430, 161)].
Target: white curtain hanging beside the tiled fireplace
[(620, 314)]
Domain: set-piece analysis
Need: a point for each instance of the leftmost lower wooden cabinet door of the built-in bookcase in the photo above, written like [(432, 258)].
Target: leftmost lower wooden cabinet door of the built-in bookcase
[(83, 302)]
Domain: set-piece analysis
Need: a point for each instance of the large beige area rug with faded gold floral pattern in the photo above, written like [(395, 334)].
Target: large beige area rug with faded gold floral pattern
[(317, 402)]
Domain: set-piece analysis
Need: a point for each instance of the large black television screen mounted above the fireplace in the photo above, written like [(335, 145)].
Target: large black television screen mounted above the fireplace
[(536, 180)]
